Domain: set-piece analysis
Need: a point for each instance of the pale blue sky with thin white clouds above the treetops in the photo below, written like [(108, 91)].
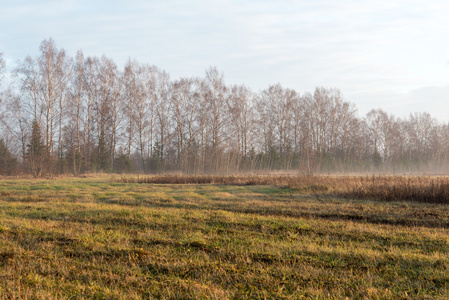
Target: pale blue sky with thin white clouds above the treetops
[(384, 54)]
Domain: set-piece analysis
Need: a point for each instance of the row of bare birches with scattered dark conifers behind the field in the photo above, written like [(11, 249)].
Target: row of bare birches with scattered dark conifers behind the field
[(82, 114)]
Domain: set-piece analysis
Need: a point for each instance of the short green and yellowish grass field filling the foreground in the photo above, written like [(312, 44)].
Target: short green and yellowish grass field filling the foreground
[(100, 238)]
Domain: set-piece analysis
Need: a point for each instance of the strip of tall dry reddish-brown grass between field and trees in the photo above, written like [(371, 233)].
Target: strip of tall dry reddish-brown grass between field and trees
[(426, 189)]
